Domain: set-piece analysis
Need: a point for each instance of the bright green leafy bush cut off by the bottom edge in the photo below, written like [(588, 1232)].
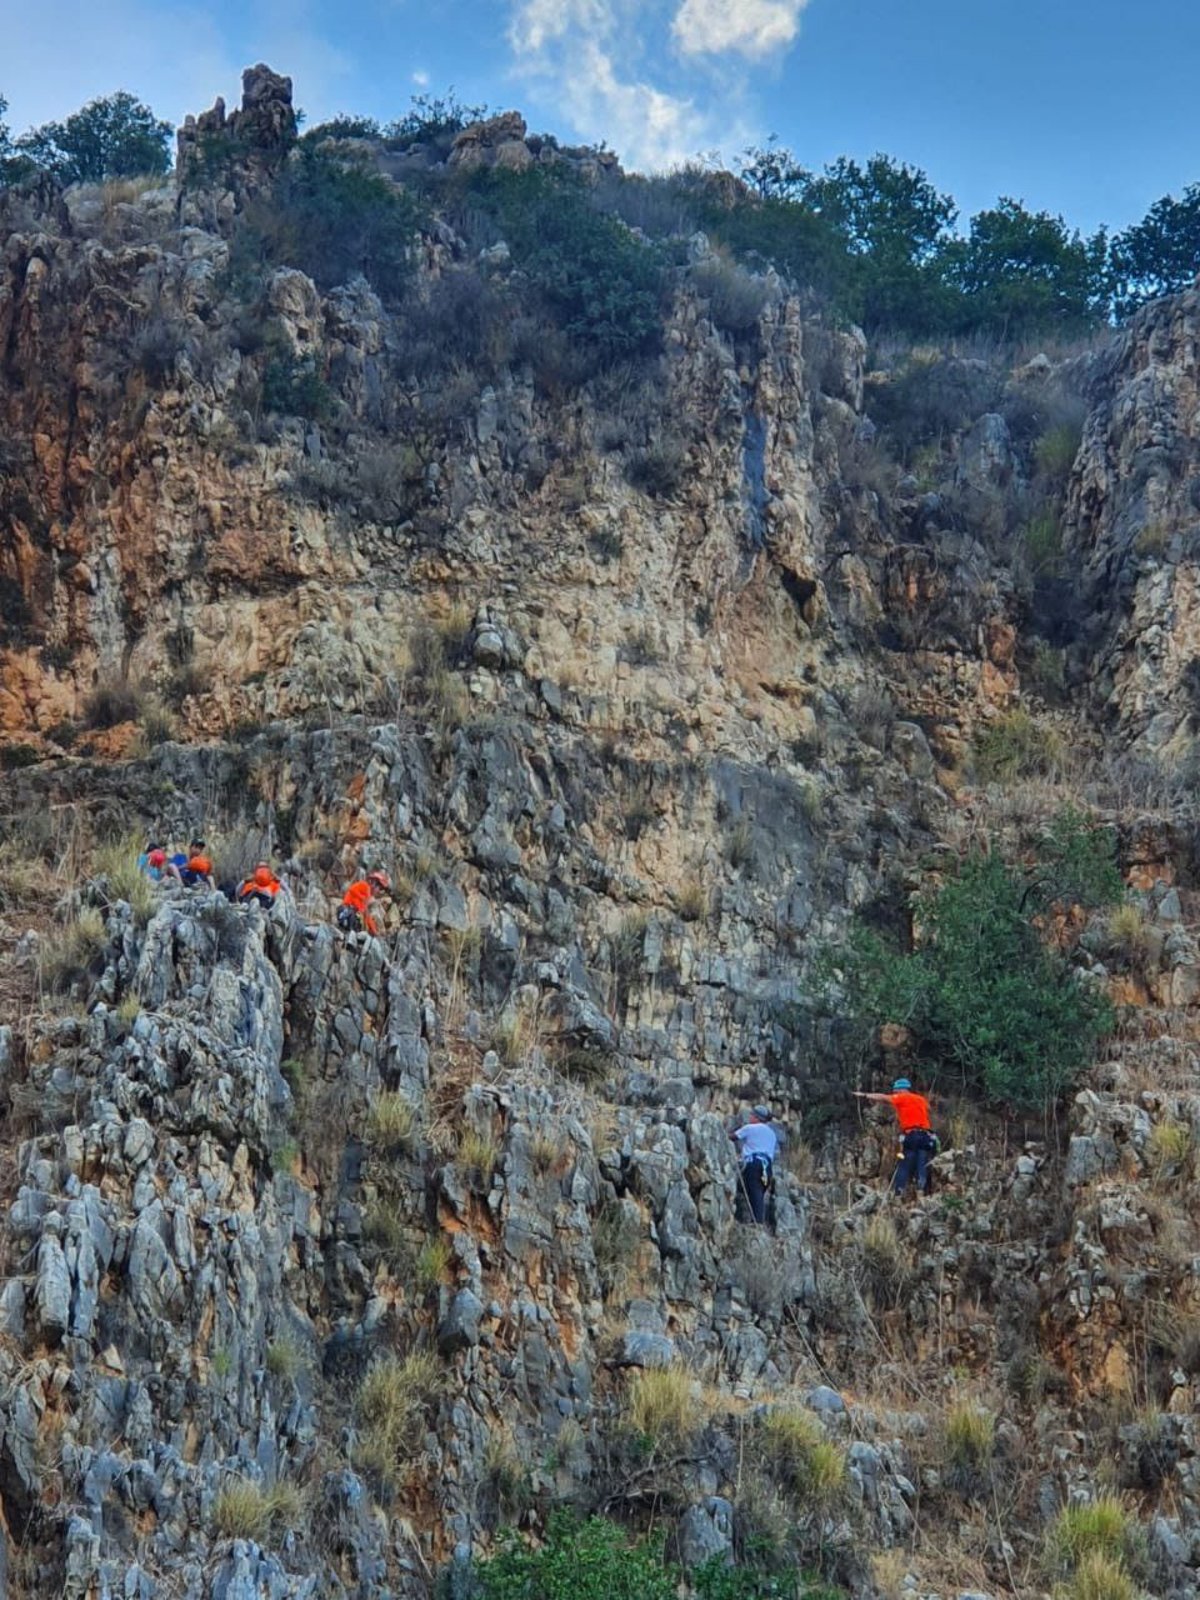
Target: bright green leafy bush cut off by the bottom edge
[(578, 1561)]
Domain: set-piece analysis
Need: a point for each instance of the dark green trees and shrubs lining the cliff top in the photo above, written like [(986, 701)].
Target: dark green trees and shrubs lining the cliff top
[(878, 242)]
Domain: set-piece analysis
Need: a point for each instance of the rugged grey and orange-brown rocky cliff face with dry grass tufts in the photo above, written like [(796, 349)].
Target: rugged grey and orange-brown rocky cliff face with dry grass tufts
[(329, 1255)]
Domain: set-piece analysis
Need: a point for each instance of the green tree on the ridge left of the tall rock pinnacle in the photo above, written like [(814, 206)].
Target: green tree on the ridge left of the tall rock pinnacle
[(116, 137)]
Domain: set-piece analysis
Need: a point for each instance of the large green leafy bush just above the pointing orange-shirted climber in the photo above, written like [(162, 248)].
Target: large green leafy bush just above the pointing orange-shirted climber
[(983, 991)]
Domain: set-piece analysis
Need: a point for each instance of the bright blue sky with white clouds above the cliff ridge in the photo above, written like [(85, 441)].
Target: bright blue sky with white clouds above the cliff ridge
[(1076, 106)]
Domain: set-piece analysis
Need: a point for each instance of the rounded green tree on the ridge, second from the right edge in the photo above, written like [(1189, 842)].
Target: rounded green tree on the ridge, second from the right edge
[(1025, 273)]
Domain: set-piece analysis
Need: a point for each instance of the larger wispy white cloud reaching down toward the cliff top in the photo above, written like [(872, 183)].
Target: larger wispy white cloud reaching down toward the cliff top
[(586, 55)]
